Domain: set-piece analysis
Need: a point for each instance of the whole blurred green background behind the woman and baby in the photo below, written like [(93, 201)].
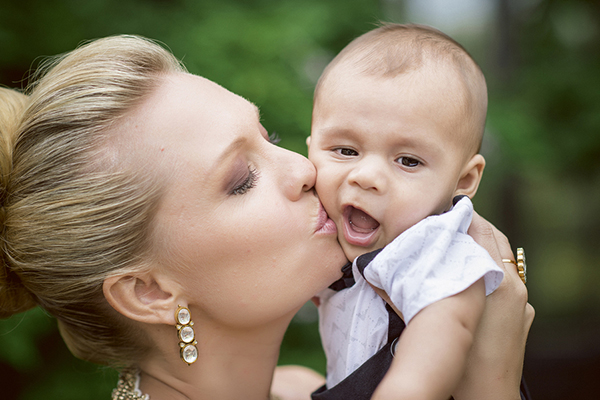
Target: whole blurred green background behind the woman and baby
[(541, 186)]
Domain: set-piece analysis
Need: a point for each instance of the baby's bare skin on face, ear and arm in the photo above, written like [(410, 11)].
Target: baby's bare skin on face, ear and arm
[(386, 161)]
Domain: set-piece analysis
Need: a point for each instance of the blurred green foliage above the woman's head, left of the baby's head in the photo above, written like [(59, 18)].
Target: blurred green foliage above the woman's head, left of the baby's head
[(270, 52)]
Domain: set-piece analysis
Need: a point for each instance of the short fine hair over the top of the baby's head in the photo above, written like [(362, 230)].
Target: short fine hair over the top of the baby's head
[(394, 49)]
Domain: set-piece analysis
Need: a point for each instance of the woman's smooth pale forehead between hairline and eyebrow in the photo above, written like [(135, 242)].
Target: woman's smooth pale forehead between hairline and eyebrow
[(187, 122)]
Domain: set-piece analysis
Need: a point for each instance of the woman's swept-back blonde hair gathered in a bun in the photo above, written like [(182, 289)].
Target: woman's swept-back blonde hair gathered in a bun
[(72, 216)]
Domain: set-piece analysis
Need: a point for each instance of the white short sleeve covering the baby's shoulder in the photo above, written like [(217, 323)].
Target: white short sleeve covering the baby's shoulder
[(432, 260)]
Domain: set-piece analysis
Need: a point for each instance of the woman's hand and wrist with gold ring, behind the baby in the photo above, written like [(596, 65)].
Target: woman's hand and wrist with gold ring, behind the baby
[(495, 363)]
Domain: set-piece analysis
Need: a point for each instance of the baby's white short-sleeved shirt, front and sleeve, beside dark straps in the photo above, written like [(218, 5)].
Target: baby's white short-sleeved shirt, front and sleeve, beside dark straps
[(432, 260)]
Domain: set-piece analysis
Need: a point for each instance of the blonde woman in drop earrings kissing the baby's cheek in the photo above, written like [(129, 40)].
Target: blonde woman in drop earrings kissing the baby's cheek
[(138, 198)]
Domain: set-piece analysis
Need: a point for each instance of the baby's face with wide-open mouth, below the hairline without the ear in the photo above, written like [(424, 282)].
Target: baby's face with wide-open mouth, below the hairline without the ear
[(385, 154)]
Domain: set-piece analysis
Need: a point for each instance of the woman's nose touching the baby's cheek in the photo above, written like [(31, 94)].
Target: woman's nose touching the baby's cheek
[(298, 175)]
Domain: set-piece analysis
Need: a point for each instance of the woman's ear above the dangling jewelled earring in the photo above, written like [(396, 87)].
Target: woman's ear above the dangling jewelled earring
[(143, 297)]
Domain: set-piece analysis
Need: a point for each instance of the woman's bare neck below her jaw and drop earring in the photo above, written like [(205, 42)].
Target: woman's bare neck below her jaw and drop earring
[(231, 365)]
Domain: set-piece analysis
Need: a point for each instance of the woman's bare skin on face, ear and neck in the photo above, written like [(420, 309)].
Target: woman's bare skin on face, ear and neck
[(239, 221)]
